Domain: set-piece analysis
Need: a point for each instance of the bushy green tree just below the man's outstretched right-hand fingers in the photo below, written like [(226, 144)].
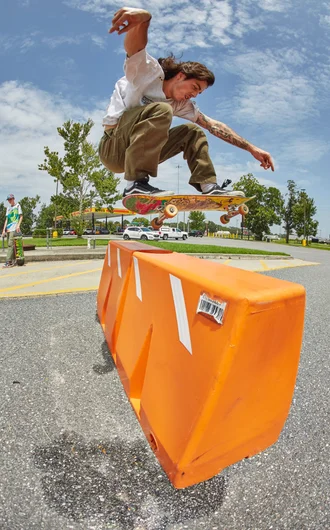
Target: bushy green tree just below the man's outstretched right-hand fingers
[(265, 209)]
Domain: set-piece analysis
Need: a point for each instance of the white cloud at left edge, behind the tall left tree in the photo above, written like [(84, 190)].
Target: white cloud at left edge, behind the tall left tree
[(29, 118)]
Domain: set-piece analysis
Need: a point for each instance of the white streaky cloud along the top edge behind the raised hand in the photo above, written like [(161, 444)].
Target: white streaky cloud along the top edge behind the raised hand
[(185, 24)]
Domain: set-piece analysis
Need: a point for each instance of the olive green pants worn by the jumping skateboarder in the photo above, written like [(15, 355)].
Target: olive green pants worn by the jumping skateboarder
[(143, 139)]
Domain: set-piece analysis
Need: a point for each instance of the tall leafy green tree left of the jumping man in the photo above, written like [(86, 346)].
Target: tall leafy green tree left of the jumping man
[(85, 182)]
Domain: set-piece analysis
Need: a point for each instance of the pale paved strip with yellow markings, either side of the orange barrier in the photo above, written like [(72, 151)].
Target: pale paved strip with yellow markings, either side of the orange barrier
[(75, 269)]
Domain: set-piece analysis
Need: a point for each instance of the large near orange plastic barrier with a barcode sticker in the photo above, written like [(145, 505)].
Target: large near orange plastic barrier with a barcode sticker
[(208, 356)]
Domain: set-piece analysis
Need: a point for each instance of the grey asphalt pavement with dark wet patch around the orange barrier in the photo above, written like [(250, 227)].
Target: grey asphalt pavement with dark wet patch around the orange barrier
[(73, 454)]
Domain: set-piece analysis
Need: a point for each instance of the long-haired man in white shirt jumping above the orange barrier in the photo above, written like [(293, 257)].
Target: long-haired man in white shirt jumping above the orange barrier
[(137, 127)]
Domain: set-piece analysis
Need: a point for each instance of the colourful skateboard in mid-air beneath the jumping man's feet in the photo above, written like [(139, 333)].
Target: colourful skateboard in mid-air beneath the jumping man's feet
[(168, 206)]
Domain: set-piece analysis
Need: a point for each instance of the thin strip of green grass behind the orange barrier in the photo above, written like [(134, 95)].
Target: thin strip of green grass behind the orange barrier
[(177, 247)]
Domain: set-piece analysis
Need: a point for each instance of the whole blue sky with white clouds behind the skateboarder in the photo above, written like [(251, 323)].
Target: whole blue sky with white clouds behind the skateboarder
[(271, 59)]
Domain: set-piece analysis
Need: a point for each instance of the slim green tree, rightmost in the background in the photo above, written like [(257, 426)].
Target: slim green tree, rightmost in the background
[(303, 213)]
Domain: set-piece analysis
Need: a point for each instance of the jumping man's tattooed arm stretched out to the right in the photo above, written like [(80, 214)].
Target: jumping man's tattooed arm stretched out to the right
[(222, 131)]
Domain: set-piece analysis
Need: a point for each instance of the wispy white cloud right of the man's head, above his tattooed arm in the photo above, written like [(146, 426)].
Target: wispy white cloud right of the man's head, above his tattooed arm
[(271, 92)]
